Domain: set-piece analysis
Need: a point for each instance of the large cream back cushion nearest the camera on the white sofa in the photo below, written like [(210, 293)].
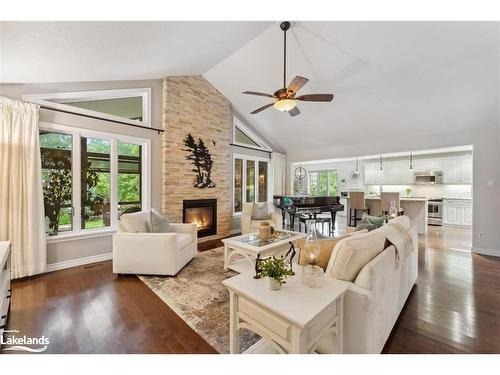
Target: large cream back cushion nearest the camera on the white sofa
[(353, 253)]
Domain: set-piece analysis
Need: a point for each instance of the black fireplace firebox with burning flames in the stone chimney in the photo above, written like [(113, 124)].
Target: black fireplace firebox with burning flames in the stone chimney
[(203, 213)]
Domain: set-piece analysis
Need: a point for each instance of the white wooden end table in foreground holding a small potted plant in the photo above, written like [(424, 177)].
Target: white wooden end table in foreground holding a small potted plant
[(291, 320)]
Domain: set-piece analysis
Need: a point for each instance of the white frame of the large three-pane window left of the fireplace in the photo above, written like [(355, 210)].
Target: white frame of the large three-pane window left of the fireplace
[(77, 232)]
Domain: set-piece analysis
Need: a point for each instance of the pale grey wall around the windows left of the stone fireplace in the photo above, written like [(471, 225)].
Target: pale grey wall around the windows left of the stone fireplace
[(74, 249)]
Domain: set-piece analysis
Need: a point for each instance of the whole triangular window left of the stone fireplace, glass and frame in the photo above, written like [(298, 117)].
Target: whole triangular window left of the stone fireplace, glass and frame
[(132, 106)]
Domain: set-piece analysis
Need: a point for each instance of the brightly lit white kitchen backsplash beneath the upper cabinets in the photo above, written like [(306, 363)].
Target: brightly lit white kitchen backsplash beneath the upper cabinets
[(436, 191)]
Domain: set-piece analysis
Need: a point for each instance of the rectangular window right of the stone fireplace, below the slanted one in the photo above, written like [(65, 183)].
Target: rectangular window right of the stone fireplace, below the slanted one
[(253, 174)]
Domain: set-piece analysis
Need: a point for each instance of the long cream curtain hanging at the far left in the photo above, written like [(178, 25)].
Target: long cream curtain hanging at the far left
[(21, 198)]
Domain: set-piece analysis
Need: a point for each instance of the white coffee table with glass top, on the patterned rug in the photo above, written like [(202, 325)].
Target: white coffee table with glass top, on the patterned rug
[(249, 246)]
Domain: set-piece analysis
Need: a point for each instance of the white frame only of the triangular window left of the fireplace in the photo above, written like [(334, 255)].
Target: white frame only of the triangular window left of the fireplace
[(62, 97)]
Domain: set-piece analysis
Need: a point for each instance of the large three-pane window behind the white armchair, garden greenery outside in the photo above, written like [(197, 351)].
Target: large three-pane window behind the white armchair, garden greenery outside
[(90, 179)]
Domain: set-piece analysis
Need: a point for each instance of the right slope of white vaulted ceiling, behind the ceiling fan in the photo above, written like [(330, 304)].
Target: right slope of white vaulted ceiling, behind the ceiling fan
[(389, 79)]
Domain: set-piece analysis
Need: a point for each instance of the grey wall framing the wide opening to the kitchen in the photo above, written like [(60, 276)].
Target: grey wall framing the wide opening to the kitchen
[(486, 173)]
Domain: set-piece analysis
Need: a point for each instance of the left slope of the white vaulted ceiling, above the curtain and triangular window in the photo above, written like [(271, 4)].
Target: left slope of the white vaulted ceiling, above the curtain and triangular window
[(39, 52)]
